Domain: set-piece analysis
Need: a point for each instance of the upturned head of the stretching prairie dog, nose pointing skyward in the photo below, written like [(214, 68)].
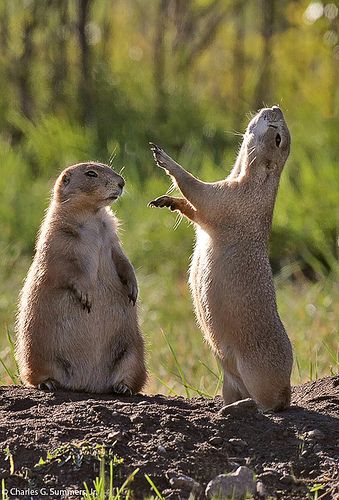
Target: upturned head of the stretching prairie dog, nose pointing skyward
[(266, 146)]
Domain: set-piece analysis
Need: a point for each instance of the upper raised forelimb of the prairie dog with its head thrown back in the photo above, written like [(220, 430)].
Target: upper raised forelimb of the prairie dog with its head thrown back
[(192, 188)]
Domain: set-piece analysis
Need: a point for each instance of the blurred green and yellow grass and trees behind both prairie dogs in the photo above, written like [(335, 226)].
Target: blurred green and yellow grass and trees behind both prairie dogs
[(98, 79)]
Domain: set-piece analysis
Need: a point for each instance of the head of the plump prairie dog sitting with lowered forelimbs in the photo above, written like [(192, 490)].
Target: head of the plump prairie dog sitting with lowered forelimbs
[(88, 185)]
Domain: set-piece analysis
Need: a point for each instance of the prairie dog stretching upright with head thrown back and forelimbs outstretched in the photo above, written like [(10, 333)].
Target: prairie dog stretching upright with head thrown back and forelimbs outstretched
[(230, 276)]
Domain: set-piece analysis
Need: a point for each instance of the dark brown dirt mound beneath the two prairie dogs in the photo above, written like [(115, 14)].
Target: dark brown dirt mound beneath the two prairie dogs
[(289, 452)]
